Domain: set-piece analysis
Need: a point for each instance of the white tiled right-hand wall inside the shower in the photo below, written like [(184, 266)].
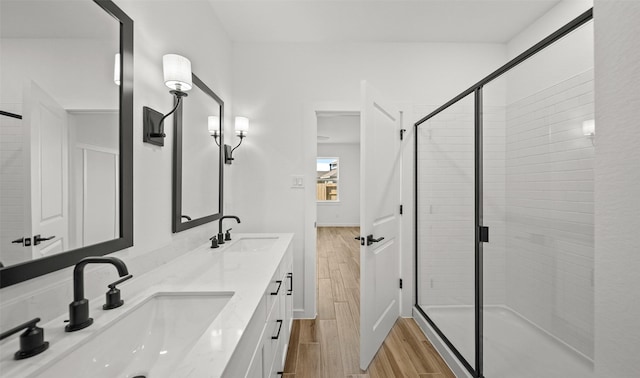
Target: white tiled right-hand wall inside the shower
[(550, 219)]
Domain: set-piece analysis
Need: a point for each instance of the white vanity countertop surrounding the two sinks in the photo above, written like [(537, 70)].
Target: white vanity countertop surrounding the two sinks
[(246, 274)]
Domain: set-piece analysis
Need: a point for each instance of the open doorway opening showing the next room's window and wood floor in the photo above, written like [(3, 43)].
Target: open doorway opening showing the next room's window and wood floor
[(338, 251)]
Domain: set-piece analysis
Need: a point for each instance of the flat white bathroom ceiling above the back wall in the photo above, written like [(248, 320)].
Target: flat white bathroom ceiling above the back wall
[(476, 21)]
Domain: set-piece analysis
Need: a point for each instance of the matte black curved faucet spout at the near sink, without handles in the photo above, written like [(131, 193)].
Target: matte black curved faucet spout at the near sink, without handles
[(79, 308)]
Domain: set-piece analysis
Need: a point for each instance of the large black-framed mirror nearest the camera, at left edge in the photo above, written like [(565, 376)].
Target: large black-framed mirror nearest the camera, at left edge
[(68, 77)]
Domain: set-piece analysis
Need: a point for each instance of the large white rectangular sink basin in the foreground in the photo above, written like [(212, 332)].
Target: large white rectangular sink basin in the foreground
[(149, 340)]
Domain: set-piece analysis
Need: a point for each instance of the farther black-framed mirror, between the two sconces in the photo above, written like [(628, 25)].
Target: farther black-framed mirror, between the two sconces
[(197, 158)]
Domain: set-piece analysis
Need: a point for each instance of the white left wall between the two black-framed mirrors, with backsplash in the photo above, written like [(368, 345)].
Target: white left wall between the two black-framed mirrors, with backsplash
[(203, 41)]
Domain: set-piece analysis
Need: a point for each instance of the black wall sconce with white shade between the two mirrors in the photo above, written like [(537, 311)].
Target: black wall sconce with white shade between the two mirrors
[(177, 76)]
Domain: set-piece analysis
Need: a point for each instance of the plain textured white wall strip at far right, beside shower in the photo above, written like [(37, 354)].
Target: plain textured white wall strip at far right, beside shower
[(617, 184)]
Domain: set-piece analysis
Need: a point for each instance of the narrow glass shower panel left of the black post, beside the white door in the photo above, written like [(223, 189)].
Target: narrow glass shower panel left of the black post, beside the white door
[(446, 248)]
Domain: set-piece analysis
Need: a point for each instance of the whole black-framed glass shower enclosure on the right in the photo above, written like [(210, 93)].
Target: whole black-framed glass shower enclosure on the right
[(504, 214)]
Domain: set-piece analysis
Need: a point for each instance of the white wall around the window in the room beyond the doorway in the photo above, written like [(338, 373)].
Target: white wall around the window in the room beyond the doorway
[(345, 211)]
